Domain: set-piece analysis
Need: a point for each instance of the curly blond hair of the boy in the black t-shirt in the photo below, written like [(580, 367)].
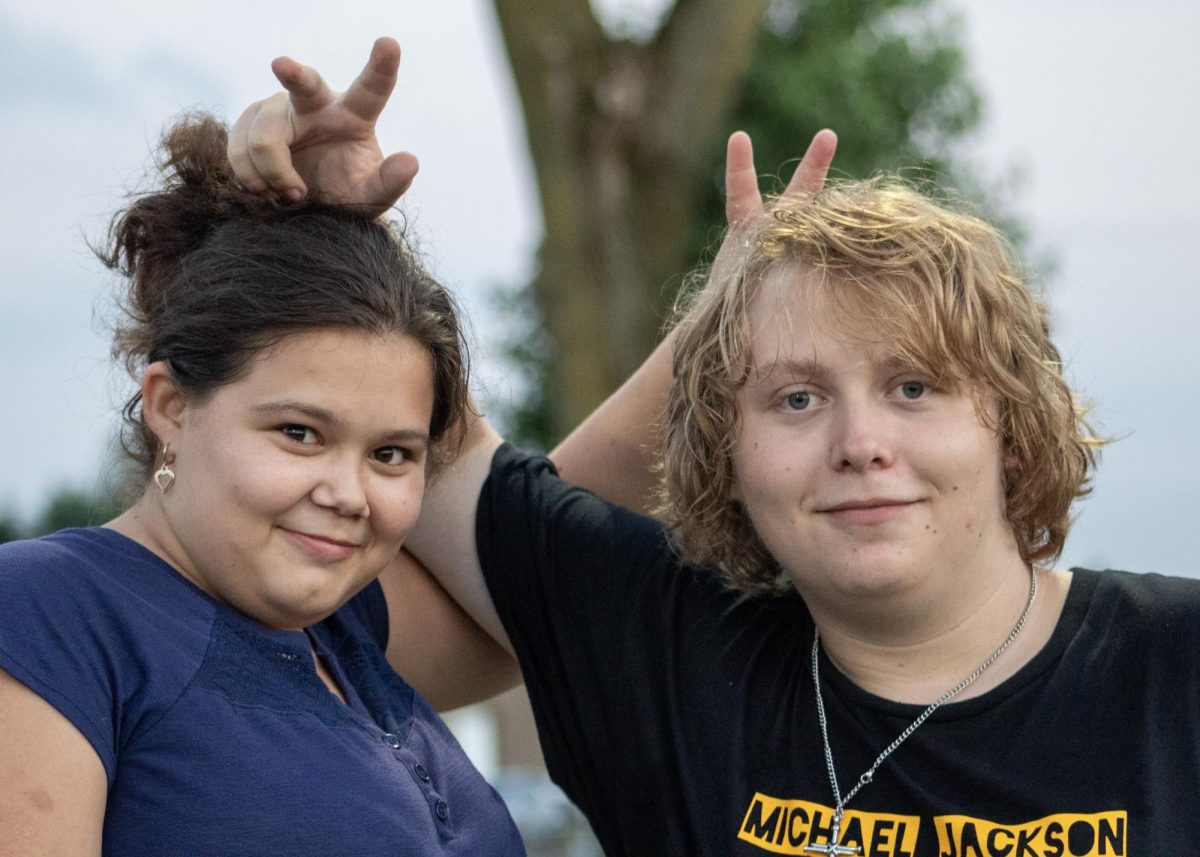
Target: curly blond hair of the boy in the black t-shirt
[(944, 289)]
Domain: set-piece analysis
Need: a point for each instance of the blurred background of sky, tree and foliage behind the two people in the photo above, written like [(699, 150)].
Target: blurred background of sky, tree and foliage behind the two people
[(571, 177)]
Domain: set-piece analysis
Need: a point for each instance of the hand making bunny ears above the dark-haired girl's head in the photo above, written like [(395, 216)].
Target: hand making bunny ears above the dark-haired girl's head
[(310, 139)]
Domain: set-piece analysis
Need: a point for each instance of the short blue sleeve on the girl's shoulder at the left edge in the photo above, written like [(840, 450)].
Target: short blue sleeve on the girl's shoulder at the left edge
[(74, 632)]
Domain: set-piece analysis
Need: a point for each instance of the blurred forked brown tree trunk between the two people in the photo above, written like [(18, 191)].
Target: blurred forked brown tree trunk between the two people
[(620, 134)]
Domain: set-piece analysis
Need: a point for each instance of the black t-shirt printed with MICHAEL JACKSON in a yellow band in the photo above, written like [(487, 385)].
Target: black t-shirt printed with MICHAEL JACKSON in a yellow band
[(680, 716)]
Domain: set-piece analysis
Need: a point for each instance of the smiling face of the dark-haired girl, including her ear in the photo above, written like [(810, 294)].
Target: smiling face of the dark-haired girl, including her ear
[(296, 486)]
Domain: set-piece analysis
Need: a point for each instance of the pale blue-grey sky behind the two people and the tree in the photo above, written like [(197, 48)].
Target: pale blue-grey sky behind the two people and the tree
[(1095, 105)]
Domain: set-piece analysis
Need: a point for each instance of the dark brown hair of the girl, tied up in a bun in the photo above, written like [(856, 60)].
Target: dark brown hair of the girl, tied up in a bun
[(214, 274)]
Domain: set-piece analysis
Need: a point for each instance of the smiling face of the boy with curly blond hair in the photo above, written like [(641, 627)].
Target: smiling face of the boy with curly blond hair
[(862, 476)]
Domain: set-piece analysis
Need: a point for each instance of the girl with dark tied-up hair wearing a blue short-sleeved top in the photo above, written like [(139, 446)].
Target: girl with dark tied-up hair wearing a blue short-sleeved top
[(212, 673)]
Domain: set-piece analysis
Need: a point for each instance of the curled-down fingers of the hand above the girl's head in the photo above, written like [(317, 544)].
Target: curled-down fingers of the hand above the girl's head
[(260, 149)]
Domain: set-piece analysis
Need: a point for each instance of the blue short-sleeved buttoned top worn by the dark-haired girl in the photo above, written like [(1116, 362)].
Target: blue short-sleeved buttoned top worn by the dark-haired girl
[(217, 733)]
